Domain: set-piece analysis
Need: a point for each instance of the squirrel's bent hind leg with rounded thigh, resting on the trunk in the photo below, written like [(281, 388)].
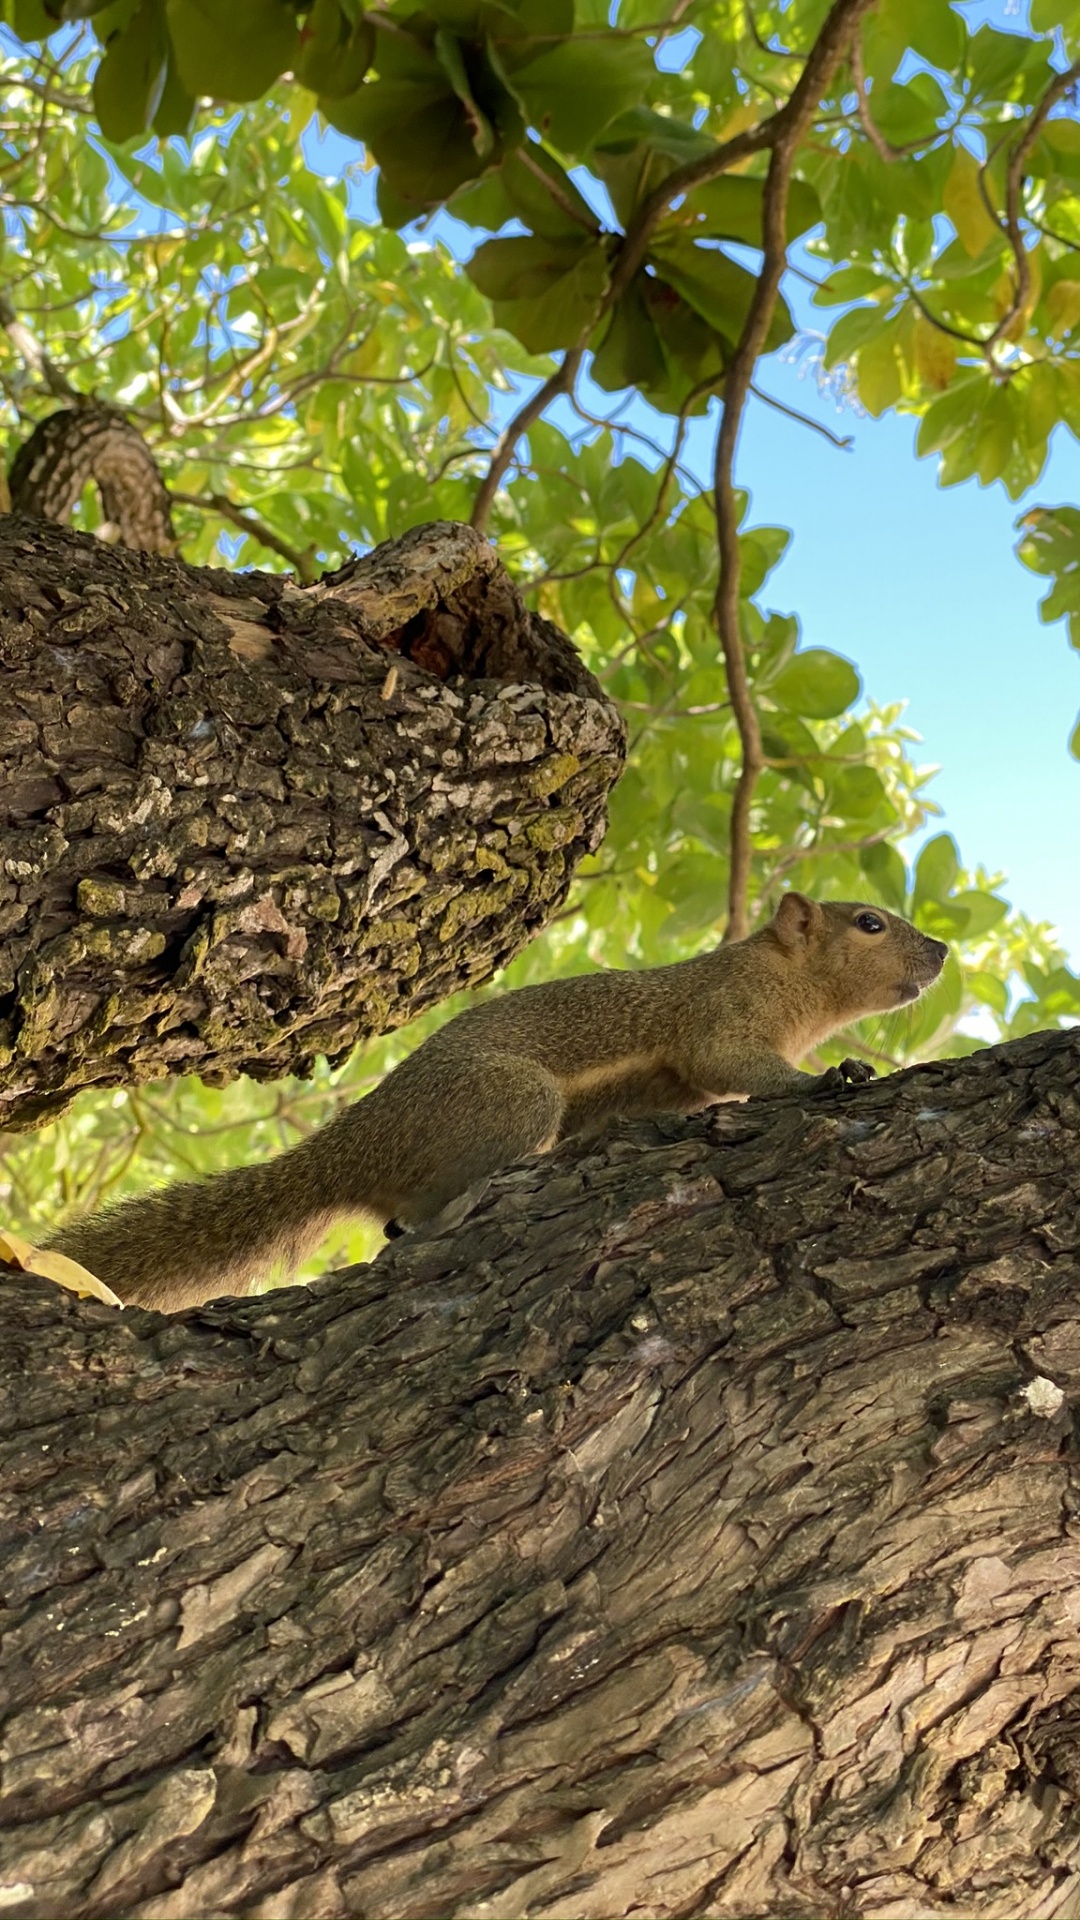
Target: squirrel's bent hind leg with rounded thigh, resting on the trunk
[(508, 1118)]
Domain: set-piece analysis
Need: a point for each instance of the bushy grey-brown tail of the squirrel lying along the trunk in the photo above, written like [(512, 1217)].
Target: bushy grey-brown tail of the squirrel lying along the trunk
[(201, 1239)]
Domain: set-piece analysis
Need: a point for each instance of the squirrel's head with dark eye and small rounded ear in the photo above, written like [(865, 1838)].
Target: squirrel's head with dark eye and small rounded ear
[(862, 957)]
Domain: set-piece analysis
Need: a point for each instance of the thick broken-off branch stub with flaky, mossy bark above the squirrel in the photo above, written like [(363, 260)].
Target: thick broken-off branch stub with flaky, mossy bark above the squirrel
[(245, 823)]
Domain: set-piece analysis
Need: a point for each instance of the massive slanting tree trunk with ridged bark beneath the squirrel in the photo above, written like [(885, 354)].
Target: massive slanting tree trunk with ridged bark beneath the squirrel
[(691, 1533)]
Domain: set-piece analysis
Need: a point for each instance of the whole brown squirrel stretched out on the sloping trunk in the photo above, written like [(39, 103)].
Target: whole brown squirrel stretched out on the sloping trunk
[(514, 1078)]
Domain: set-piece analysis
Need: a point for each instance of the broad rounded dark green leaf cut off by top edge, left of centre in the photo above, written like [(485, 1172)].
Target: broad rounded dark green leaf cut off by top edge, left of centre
[(232, 49)]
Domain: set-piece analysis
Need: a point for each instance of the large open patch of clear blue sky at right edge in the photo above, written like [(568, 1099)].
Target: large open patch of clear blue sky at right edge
[(920, 587)]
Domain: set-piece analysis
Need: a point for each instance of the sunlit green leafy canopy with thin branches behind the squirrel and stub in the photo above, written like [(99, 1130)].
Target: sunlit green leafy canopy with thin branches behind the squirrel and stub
[(543, 239)]
